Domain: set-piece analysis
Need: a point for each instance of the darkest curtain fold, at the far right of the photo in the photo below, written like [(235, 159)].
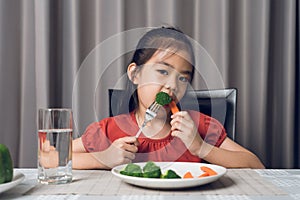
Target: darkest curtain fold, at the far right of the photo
[(281, 83)]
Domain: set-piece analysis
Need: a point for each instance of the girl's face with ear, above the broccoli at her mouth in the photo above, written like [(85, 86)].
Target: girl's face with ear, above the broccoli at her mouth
[(164, 71)]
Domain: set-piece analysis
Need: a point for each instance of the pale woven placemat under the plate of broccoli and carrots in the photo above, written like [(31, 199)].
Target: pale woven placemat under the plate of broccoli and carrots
[(235, 182)]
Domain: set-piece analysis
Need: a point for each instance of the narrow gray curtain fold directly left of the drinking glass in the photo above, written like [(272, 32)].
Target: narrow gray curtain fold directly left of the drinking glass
[(27, 109)]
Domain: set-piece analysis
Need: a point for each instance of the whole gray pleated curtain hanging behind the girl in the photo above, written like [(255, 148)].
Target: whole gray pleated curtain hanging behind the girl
[(46, 48)]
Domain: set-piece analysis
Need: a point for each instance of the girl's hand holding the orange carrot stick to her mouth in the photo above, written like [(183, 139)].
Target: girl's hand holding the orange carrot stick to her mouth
[(183, 127)]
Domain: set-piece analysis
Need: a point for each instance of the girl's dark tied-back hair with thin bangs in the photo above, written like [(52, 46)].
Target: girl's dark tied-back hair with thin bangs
[(164, 38)]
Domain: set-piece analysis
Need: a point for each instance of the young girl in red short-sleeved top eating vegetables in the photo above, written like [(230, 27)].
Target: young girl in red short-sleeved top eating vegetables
[(163, 61)]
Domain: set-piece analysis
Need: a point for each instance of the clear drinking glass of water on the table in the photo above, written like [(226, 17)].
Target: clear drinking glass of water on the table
[(55, 146)]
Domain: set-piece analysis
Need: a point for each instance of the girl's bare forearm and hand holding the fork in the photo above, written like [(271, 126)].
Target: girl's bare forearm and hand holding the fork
[(121, 151)]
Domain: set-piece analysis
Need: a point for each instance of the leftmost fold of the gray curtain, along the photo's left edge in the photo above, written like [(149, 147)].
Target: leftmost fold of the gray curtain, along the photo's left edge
[(10, 85)]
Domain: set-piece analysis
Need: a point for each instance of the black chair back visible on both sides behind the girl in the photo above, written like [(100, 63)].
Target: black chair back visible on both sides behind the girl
[(219, 104)]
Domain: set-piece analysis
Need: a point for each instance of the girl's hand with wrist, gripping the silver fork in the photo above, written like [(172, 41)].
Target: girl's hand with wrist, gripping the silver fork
[(121, 151)]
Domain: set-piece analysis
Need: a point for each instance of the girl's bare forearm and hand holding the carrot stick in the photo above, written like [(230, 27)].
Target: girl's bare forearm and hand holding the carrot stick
[(229, 154)]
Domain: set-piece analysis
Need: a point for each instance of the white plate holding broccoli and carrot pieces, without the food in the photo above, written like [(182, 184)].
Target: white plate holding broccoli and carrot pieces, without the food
[(180, 168)]
